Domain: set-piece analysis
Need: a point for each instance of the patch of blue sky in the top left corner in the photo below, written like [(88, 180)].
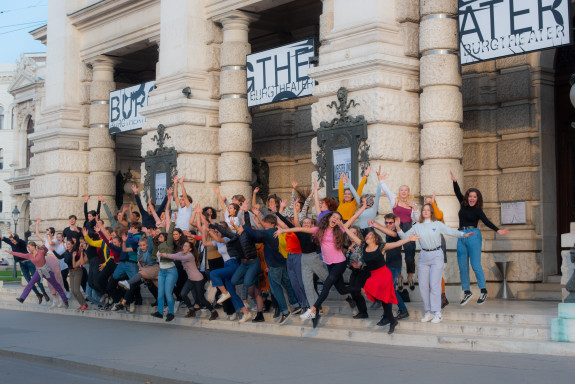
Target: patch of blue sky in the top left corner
[(17, 19)]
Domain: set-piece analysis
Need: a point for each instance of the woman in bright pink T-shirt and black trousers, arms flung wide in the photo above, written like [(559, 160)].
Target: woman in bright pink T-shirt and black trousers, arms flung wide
[(329, 235)]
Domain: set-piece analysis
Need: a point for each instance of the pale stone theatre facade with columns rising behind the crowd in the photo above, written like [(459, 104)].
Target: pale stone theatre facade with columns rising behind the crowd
[(493, 124)]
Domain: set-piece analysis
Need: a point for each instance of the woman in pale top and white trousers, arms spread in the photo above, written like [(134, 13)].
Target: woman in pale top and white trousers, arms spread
[(430, 264)]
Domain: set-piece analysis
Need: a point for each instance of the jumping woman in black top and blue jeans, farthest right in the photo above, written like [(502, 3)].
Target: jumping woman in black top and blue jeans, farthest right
[(469, 249)]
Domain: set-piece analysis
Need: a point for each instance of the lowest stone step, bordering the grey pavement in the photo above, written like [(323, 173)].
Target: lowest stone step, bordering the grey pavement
[(378, 335)]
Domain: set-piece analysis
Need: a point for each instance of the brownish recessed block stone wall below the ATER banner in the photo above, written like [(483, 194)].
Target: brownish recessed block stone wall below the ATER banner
[(502, 156)]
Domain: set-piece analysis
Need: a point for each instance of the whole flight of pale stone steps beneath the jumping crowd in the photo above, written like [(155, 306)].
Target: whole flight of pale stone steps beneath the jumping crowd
[(497, 326)]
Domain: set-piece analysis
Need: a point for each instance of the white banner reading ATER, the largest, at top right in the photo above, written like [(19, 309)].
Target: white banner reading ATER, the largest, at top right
[(490, 29)]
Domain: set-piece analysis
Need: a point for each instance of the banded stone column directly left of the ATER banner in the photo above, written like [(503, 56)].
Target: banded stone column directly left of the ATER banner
[(441, 104)]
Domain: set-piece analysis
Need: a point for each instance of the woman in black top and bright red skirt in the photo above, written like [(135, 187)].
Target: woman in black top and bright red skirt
[(380, 286)]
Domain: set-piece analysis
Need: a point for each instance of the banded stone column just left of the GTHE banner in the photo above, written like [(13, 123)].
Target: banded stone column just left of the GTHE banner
[(235, 135)]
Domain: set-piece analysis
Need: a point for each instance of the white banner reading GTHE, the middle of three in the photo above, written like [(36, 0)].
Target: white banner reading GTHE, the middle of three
[(280, 73)]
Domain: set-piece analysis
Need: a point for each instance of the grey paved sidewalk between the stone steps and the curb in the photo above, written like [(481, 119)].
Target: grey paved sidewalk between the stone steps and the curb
[(220, 357)]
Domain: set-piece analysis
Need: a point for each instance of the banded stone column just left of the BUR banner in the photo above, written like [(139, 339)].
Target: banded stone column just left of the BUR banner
[(102, 158)]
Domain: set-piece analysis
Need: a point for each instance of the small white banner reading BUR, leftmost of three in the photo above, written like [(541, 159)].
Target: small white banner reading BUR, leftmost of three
[(125, 105)]
